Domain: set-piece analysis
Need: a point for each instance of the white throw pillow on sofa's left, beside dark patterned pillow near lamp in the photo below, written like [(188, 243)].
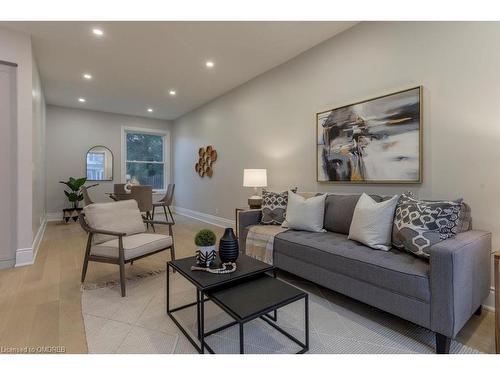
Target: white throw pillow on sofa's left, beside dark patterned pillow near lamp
[(305, 214)]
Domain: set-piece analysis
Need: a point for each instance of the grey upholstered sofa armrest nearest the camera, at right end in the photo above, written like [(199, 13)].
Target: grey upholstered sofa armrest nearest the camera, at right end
[(459, 279)]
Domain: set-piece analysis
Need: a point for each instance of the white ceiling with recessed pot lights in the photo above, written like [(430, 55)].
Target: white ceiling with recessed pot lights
[(134, 65)]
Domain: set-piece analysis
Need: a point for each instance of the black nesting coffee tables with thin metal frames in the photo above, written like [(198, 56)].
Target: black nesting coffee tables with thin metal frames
[(246, 294)]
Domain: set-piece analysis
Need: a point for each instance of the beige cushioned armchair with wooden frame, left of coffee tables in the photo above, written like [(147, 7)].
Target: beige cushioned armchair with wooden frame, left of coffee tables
[(117, 235)]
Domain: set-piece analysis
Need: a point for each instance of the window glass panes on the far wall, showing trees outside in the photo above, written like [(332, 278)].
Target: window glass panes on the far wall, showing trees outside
[(145, 157)]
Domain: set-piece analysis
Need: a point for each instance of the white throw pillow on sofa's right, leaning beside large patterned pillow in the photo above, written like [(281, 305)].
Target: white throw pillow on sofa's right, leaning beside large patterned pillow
[(372, 222)]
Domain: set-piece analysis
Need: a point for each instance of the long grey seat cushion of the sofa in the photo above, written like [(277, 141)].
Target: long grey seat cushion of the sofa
[(393, 270)]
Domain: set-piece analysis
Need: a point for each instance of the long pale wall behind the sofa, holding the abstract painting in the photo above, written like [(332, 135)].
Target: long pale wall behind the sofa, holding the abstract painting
[(269, 122)]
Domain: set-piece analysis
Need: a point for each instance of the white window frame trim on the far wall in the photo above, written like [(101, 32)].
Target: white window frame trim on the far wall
[(166, 152)]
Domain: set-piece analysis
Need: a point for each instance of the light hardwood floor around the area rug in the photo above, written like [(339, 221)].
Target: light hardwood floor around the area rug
[(40, 305)]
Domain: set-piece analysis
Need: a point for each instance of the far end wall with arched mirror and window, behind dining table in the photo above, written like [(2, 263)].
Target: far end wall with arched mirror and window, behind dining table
[(70, 134)]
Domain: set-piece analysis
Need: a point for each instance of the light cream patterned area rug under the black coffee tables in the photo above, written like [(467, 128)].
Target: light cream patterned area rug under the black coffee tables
[(138, 322)]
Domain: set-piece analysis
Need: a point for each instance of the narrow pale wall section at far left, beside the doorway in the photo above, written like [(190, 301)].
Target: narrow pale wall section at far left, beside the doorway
[(16, 47)]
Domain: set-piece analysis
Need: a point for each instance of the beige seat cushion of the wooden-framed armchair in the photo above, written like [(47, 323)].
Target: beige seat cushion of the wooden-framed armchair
[(133, 246)]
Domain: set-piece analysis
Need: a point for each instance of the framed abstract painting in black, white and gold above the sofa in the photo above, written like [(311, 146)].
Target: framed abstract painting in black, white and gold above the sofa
[(374, 141)]
